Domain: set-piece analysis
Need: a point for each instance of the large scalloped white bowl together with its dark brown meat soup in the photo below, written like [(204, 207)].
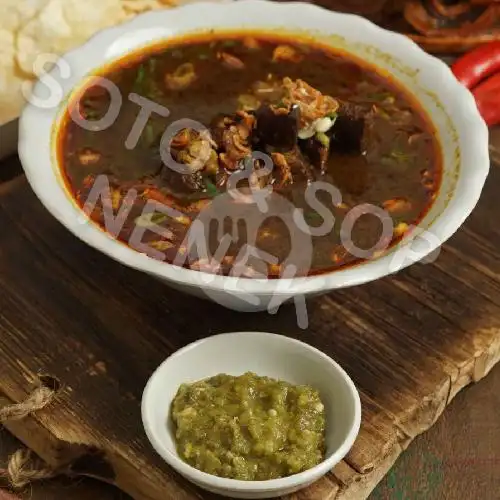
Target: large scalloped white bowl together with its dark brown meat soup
[(255, 152)]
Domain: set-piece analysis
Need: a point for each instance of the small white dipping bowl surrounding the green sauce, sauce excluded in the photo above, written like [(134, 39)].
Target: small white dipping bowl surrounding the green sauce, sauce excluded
[(265, 354)]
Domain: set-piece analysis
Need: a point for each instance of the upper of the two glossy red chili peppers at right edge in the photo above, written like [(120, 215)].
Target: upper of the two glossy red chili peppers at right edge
[(477, 64)]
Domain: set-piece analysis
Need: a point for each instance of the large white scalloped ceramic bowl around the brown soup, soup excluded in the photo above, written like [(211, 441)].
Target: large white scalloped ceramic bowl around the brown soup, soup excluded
[(462, 133)]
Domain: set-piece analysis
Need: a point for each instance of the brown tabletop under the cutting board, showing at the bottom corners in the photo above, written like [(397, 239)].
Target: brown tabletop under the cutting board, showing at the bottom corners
[(457, 459)]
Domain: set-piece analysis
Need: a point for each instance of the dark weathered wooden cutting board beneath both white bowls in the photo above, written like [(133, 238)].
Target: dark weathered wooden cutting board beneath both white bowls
[(410, 343)]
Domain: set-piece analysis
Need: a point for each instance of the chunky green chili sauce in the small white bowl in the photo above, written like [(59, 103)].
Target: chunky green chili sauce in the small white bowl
[(249, 428)]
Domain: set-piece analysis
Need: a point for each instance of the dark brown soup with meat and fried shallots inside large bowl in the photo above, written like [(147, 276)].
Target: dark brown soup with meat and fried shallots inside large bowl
[(240, 118)]
